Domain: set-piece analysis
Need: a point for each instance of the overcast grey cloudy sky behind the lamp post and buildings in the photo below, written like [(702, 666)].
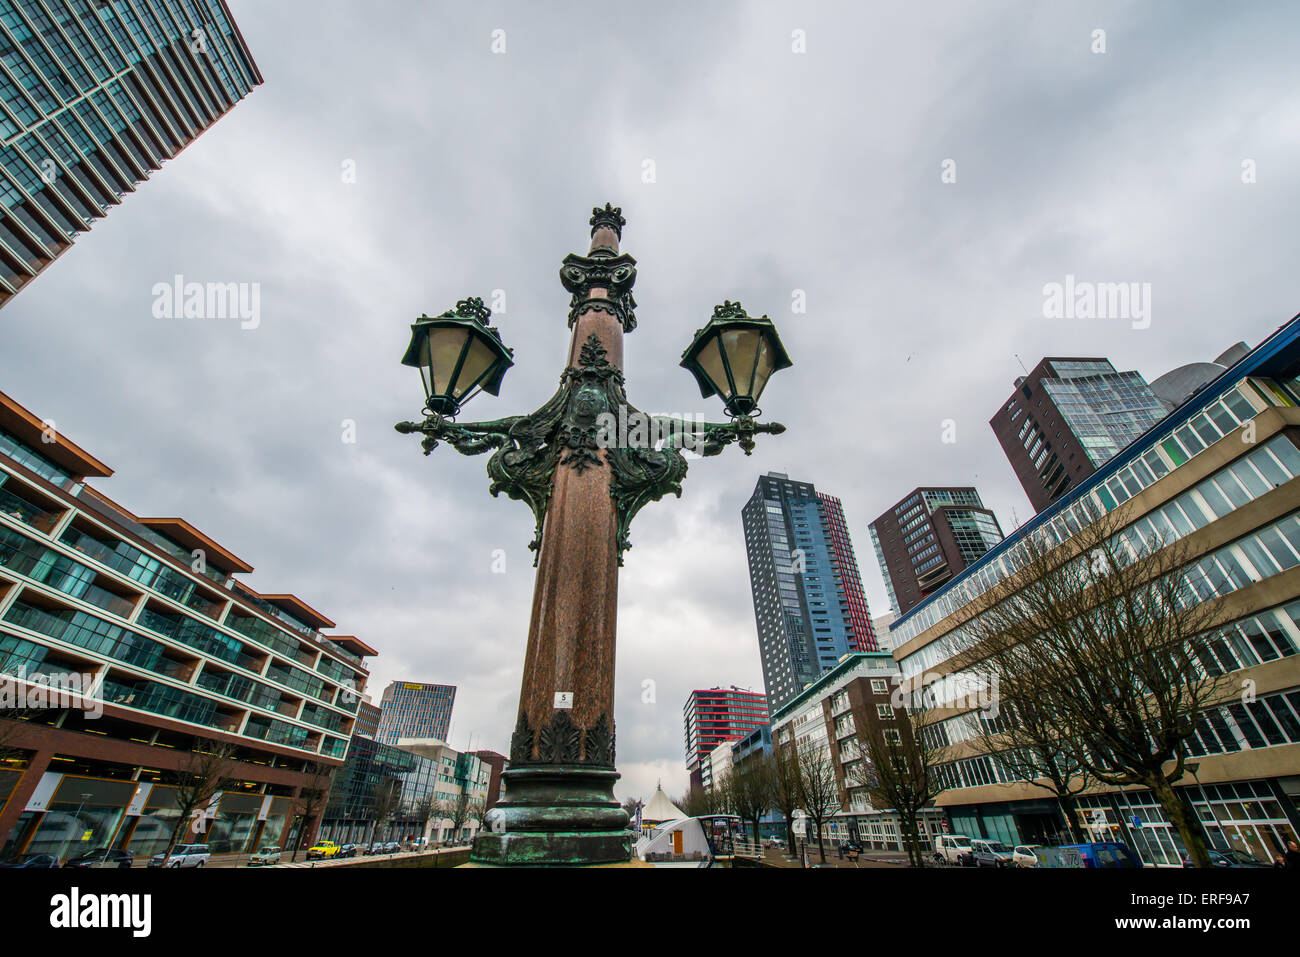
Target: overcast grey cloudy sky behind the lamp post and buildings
[(774, 171)]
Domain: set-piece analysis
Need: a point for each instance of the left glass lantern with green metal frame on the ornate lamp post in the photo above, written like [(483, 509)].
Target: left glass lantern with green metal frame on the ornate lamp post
[(457, 357)]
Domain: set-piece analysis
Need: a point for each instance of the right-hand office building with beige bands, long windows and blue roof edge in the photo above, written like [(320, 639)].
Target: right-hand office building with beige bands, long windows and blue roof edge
[(1220, 477)]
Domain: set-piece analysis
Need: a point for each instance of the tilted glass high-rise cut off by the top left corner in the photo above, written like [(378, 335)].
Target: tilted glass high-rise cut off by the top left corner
[(94, 97)]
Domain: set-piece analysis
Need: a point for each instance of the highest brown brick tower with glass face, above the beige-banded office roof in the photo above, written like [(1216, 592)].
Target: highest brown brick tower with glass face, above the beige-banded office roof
[(1068, 418)]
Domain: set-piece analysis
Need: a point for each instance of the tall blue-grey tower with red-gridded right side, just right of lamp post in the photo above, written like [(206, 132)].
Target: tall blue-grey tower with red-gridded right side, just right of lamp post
[(809, 604)]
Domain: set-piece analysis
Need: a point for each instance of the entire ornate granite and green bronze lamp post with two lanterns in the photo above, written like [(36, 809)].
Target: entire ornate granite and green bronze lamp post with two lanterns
[(586, 464)]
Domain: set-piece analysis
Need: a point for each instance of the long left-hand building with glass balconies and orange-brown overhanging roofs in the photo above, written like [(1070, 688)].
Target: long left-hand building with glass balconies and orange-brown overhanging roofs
[(163, 648)]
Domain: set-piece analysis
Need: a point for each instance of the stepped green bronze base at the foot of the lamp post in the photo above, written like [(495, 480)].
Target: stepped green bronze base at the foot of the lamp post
[(560, 816)]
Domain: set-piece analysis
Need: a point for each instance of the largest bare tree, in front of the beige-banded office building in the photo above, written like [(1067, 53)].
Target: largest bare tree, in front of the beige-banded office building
[(1113, 633)]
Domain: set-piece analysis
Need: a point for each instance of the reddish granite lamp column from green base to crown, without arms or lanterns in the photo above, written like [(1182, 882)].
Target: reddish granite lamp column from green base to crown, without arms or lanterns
[(560, 804)]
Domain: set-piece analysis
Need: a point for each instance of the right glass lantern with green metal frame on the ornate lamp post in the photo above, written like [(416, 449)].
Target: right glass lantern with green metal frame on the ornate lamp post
[(734, 357)]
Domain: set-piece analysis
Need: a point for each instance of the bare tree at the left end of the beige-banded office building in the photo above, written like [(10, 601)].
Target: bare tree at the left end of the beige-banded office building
[(900, 768)]
